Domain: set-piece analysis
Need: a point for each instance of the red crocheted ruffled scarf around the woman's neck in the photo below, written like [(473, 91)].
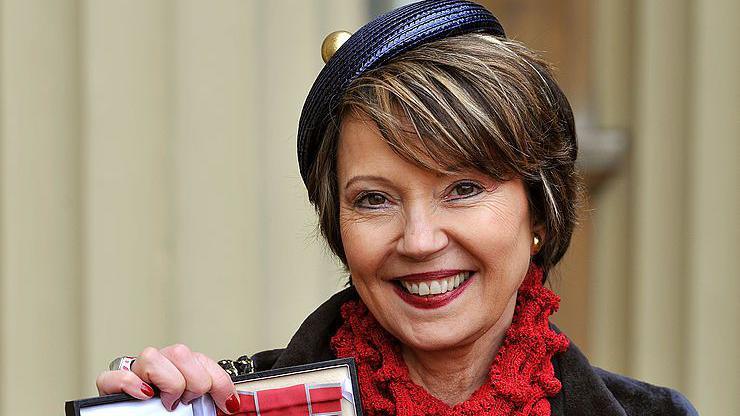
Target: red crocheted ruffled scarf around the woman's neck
[(519, 381)]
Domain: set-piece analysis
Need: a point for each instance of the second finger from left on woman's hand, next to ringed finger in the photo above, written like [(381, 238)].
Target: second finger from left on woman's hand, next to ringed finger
[(156, 369)]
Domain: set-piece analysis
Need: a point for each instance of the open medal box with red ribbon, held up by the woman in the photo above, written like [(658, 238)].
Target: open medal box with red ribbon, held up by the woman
[(327, 388)]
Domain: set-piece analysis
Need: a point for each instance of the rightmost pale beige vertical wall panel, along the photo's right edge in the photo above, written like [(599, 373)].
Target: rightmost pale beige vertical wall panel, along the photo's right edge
[(714, 287)]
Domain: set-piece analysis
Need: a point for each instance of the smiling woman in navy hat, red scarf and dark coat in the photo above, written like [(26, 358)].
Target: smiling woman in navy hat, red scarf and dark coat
[(440, 159)]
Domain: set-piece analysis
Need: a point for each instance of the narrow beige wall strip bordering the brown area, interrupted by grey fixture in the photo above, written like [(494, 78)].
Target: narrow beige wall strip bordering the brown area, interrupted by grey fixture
[(612, 69)]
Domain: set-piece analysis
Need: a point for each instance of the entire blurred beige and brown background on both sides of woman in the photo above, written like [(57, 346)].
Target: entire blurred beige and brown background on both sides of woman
[(150, 194)]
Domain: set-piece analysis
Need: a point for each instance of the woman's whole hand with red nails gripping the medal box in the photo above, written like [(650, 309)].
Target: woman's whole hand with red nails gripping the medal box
[(180, 374)]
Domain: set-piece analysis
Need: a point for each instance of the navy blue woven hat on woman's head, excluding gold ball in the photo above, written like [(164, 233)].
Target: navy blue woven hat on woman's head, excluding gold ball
[(378, 41)]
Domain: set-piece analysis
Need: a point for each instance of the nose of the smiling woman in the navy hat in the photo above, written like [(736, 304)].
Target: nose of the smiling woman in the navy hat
[(422, 236)]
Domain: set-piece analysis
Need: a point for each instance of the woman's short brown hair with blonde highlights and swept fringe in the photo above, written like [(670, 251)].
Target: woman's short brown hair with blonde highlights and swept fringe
[(472, 100)]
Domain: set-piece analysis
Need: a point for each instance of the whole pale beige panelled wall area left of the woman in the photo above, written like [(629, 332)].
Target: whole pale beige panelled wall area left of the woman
[(149, 187)]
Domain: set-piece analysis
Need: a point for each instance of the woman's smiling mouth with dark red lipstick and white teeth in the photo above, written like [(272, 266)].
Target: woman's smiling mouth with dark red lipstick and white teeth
[(433, 293)]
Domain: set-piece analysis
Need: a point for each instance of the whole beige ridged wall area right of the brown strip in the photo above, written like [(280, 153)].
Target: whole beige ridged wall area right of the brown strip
[(665, 282)]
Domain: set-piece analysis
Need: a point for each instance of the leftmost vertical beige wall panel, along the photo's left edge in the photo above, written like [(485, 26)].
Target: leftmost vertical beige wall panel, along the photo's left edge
[(39, 204)]
